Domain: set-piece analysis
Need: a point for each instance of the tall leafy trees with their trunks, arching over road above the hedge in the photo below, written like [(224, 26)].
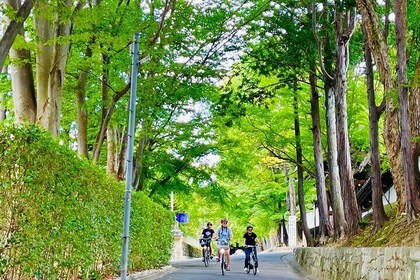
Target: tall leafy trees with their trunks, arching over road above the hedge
[(225, 112)]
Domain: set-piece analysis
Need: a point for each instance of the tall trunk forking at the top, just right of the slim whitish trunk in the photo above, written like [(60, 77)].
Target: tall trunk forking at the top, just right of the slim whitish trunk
[(344, 26)]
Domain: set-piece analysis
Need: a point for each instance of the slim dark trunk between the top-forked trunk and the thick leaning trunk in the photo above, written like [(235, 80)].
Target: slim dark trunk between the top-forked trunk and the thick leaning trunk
[(379, 216)]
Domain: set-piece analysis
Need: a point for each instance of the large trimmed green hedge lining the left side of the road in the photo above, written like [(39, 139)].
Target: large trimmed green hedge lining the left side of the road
[(61, 217)]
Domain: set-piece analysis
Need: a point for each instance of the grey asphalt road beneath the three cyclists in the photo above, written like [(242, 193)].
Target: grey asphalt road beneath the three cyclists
[(272, 265)]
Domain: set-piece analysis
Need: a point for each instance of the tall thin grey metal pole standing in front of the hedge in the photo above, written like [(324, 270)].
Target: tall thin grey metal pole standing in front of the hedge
[(129, 169)]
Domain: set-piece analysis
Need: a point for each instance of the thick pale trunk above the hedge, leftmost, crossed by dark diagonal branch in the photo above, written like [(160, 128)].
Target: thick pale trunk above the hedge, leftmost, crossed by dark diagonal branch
[(22, 80)]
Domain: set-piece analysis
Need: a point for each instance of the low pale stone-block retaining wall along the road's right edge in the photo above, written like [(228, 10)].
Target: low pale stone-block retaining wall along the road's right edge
[(391, 263)]
